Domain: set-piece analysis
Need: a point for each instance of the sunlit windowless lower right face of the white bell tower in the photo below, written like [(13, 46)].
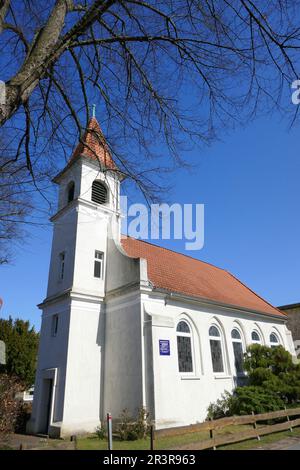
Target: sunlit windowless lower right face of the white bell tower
[(83, 375)]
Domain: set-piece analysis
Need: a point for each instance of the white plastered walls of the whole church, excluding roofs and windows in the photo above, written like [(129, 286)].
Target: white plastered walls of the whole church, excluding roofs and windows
[(99, 349)]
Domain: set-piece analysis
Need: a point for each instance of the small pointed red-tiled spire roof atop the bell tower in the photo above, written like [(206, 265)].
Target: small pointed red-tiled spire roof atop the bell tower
[(94, 146)]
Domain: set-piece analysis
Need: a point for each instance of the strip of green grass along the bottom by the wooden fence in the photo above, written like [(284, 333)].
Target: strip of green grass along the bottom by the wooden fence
[(93, 443)]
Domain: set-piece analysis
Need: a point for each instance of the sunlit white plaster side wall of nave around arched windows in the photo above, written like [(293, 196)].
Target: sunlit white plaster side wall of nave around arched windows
[(182, 400)]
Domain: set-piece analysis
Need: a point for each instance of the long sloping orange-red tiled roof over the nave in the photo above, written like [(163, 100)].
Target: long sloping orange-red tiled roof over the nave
[(182, 274)]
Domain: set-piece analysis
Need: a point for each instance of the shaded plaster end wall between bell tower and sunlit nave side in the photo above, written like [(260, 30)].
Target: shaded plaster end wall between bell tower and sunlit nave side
[(123, 385)]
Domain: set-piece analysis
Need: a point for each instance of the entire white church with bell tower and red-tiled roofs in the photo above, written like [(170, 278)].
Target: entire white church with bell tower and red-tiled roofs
[(128, 324)]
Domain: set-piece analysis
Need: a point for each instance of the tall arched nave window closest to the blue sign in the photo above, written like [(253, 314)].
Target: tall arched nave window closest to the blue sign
[(184, 347)]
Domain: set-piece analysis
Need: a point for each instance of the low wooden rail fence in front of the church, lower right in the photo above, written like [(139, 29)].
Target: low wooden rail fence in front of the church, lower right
[(289, 417)]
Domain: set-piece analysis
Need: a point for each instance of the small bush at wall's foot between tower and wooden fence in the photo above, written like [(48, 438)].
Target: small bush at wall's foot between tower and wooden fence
[(129, 429)]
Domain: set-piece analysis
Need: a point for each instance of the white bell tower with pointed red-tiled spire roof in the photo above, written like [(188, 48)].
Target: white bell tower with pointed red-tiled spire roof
[(69, 373)]
